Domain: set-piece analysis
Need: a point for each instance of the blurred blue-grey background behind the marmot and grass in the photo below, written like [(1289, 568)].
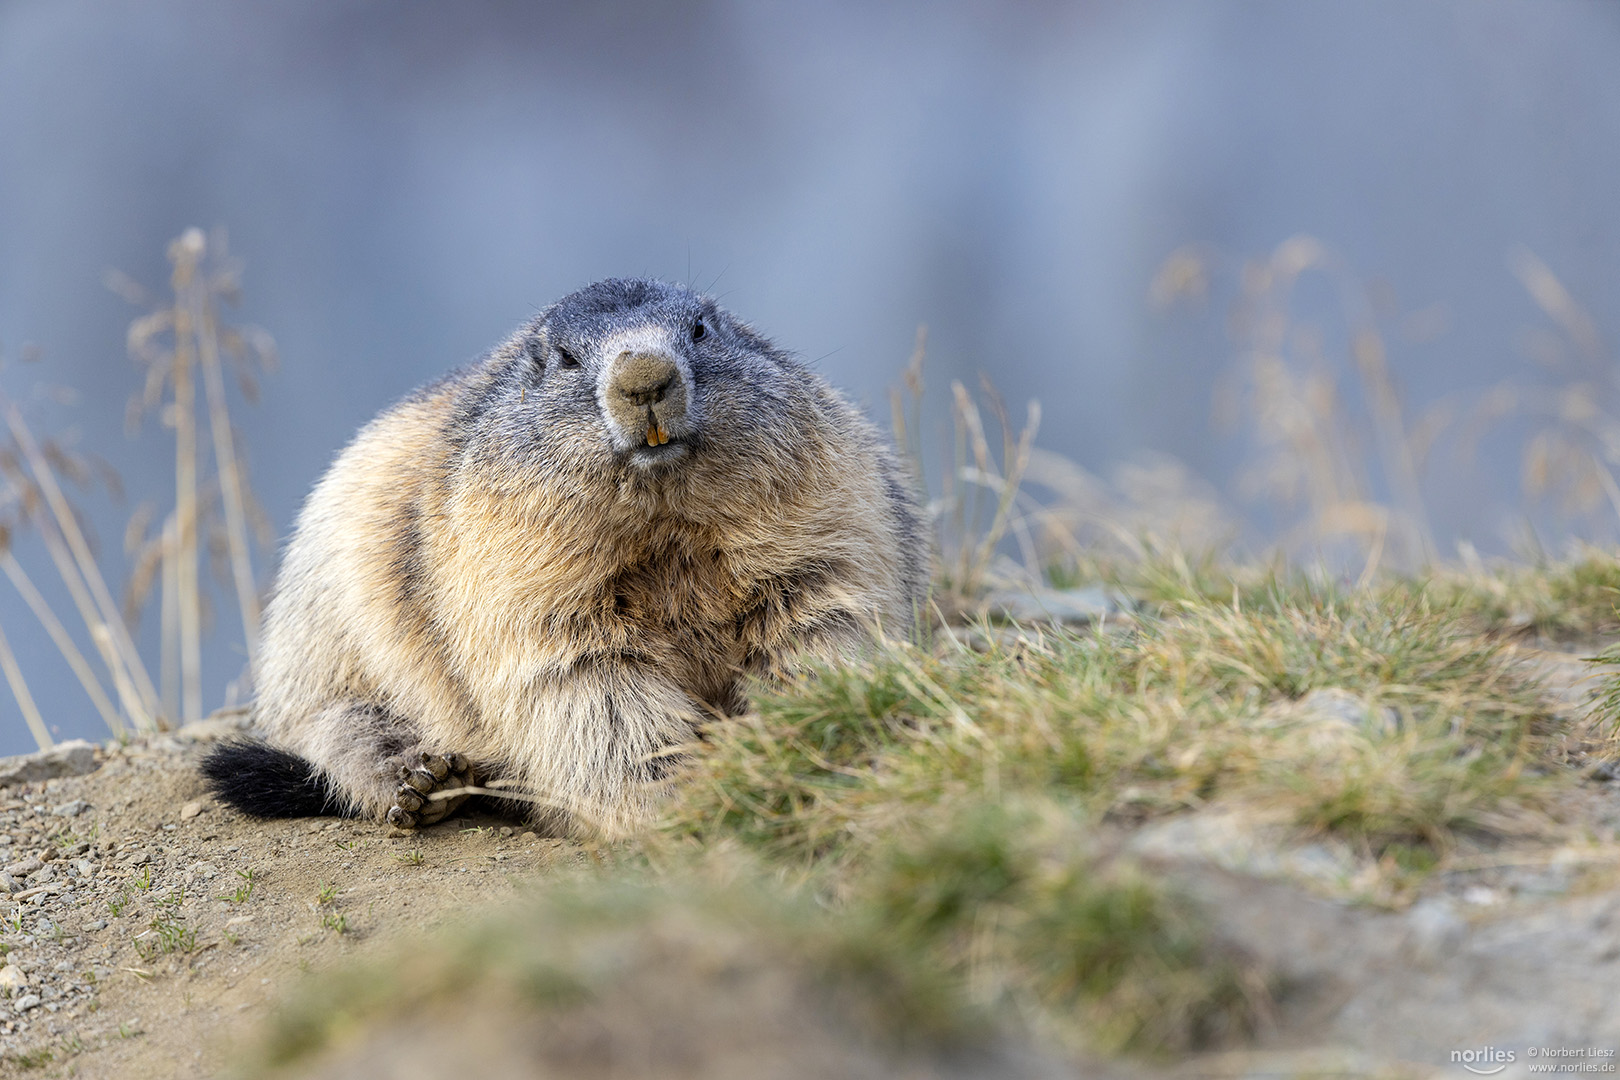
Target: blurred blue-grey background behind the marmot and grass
[(1305, 261)]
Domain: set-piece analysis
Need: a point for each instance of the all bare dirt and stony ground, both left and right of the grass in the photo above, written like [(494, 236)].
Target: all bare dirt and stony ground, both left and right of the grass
[(148, 933)]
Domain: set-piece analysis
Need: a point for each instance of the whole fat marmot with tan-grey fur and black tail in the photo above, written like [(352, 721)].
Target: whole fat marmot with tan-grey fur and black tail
[(550, 568)]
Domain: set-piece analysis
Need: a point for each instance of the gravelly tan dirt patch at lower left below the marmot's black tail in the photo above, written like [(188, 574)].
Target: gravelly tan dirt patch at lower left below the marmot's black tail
[(161, 927)]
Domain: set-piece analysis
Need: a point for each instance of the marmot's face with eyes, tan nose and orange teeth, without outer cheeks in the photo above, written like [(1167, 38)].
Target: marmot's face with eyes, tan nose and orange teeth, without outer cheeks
[(649, 375)]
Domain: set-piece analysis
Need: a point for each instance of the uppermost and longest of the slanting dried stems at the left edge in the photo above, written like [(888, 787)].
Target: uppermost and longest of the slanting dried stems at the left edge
[(122, 658)]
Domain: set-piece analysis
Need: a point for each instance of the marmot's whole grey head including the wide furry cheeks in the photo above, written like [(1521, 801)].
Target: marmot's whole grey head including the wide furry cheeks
[(647, 380)]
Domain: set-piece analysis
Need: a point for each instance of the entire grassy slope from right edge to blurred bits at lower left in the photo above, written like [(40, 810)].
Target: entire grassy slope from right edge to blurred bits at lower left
[(926, 827)]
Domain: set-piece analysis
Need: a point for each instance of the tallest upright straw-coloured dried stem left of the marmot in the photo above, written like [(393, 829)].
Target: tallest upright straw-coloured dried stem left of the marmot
[(185, 257)]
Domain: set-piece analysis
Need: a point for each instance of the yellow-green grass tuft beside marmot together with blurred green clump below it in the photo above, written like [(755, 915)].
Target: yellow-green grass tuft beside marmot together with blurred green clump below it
[(952, 793)]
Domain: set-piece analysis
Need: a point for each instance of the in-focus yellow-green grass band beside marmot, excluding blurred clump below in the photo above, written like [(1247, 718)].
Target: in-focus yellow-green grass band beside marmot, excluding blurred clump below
[(1172, 715)]
